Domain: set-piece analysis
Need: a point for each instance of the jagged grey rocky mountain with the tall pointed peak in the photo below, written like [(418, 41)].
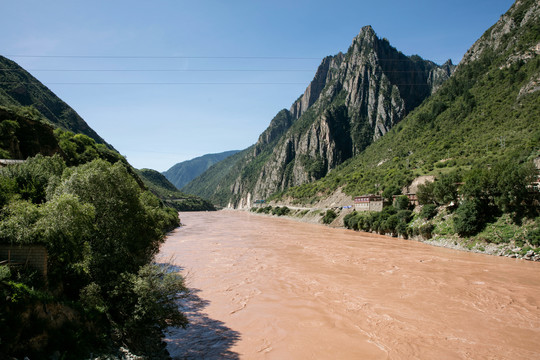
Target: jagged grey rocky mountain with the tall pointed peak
[(353, 100)]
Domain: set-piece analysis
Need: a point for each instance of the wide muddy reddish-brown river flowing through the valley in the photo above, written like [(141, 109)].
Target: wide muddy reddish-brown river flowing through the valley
[(272, 288)]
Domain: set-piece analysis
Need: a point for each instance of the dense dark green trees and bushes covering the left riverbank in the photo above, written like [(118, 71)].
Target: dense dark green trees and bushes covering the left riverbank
[(101, 227)]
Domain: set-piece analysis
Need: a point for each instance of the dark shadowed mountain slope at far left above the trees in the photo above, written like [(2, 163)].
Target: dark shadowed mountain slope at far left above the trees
[(19, 88)]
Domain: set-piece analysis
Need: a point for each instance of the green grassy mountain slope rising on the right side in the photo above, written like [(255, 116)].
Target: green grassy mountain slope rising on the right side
[(488, 111)]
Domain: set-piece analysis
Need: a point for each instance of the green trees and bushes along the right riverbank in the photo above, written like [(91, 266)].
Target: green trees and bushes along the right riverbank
[(479, 207)]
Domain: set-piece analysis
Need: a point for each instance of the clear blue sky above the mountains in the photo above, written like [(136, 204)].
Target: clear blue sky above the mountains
[(212, 102)]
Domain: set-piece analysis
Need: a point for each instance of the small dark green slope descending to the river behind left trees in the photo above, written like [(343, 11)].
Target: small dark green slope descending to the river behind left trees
[(170, 195)]
